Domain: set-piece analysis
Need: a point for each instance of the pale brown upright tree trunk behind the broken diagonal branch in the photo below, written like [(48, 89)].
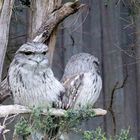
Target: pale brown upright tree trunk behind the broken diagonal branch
[(41, 10)]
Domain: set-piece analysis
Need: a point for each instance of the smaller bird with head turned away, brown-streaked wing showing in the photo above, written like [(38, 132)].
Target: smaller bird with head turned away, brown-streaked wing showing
[(82, 81)]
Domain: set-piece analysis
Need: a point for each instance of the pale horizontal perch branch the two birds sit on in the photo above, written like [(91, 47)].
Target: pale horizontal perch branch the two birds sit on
[(6, 110)]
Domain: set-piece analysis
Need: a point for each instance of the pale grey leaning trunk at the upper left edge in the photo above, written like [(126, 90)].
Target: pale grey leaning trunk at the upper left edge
[(5, 16)]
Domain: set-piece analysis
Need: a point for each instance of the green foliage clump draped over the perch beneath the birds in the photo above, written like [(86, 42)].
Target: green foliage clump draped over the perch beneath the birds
[(49, 124)]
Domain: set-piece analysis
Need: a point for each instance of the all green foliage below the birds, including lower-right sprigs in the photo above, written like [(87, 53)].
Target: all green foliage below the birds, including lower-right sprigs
[(49, 125)]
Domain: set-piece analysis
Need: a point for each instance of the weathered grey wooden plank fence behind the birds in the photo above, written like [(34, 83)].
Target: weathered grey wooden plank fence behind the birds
[(110, 30)]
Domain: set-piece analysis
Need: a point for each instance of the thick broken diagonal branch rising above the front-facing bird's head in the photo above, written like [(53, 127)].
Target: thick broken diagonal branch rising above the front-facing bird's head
[(54, 19)]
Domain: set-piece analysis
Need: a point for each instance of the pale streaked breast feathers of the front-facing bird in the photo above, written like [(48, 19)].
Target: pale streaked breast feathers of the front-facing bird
[(34, 88)]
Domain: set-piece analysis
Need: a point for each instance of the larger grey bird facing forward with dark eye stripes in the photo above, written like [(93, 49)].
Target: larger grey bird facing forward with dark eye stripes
[(30, 78)]
